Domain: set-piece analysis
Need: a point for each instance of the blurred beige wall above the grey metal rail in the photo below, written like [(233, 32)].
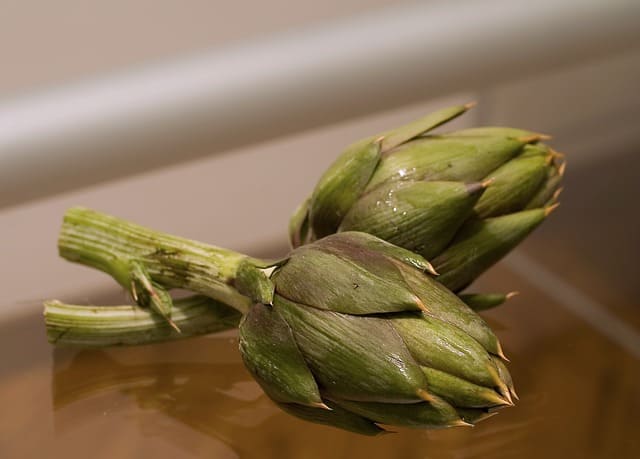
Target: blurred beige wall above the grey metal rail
[(43, 43)]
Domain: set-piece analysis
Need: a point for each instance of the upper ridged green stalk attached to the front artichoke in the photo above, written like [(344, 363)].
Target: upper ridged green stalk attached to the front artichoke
[(120, 249)]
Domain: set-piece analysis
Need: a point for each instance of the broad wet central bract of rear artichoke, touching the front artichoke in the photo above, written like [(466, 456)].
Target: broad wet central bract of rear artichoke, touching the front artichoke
[(423, 216)]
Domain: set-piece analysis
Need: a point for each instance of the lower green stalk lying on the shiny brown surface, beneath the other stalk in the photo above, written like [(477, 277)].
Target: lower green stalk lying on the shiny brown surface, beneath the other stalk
[(101, 326)]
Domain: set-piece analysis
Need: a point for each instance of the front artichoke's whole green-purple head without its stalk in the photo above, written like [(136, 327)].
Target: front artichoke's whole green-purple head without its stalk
[(359, 335)]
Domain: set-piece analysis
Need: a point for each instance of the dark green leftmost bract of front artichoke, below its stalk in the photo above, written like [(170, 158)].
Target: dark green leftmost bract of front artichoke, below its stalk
[(271, 355)]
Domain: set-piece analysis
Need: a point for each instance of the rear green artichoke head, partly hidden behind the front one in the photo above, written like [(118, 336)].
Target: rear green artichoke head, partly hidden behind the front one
[(462, 199)]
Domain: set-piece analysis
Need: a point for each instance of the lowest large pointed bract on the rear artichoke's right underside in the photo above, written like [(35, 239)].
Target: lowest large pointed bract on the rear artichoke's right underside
[(481, 243)]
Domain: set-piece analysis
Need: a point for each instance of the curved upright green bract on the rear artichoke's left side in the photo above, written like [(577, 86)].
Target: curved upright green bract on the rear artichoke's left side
[(341, 185)]
